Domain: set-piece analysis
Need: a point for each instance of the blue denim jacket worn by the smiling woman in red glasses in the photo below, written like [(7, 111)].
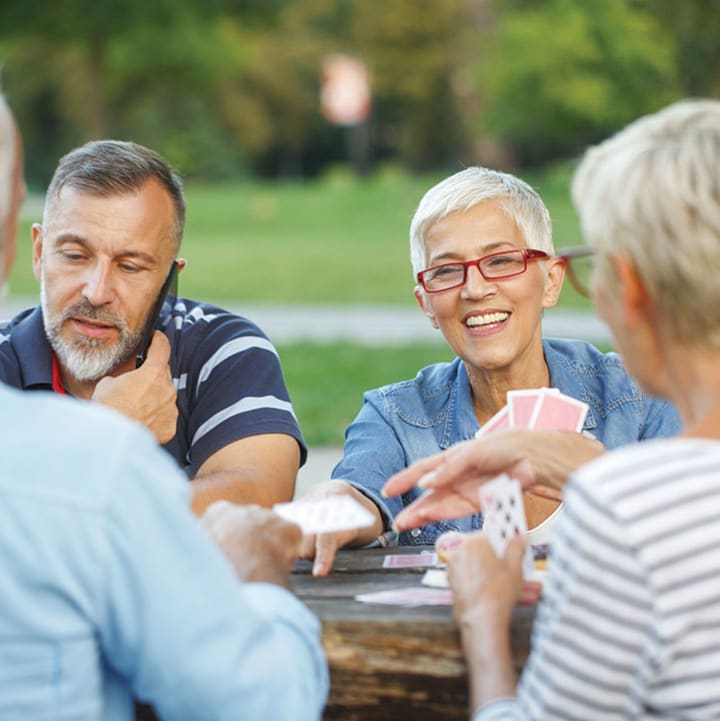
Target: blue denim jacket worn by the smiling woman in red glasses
[(400, 423)]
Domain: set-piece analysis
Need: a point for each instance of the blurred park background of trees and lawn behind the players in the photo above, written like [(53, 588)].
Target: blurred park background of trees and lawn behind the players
[(307, 131)]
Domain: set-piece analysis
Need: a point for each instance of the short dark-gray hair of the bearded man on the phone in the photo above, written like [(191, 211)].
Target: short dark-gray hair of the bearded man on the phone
[(113, 167)]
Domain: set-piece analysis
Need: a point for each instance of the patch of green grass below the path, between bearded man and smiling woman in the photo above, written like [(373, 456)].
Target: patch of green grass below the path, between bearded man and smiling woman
[(326, 382)]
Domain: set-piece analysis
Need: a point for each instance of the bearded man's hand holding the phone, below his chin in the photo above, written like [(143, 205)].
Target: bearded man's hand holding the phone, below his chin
[(146, 394)]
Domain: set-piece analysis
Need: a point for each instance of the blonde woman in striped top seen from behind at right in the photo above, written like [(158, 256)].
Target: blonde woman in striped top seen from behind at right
[(629, 623)]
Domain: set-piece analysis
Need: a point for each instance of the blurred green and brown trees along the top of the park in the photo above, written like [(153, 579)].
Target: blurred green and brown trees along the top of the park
[(224, 87)]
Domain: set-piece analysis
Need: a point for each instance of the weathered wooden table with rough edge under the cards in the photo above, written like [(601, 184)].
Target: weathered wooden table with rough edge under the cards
[(391, 662)]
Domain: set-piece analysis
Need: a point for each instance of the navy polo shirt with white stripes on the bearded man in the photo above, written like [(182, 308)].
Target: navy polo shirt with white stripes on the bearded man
[(227, 374)]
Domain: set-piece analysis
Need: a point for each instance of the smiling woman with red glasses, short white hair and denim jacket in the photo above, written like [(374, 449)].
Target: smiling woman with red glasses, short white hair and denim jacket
[(486, 269)]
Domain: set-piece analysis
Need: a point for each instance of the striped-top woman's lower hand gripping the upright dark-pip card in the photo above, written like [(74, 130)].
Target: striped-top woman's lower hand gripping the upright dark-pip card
[(485, 588)]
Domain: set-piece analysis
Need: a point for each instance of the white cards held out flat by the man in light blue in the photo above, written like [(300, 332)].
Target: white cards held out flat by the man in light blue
[(325, 515)]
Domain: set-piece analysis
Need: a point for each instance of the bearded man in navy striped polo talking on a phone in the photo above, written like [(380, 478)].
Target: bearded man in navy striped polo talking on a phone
[(211, 389)]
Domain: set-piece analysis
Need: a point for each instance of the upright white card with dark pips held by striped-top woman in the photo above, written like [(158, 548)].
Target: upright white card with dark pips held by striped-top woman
[(503, 511)]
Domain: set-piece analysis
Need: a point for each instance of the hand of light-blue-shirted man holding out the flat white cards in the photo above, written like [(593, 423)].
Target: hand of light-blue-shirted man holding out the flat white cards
[(261, 546)]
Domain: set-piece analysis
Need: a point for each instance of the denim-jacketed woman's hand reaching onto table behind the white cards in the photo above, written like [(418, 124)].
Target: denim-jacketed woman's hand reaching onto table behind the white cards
[(323, 546)]
